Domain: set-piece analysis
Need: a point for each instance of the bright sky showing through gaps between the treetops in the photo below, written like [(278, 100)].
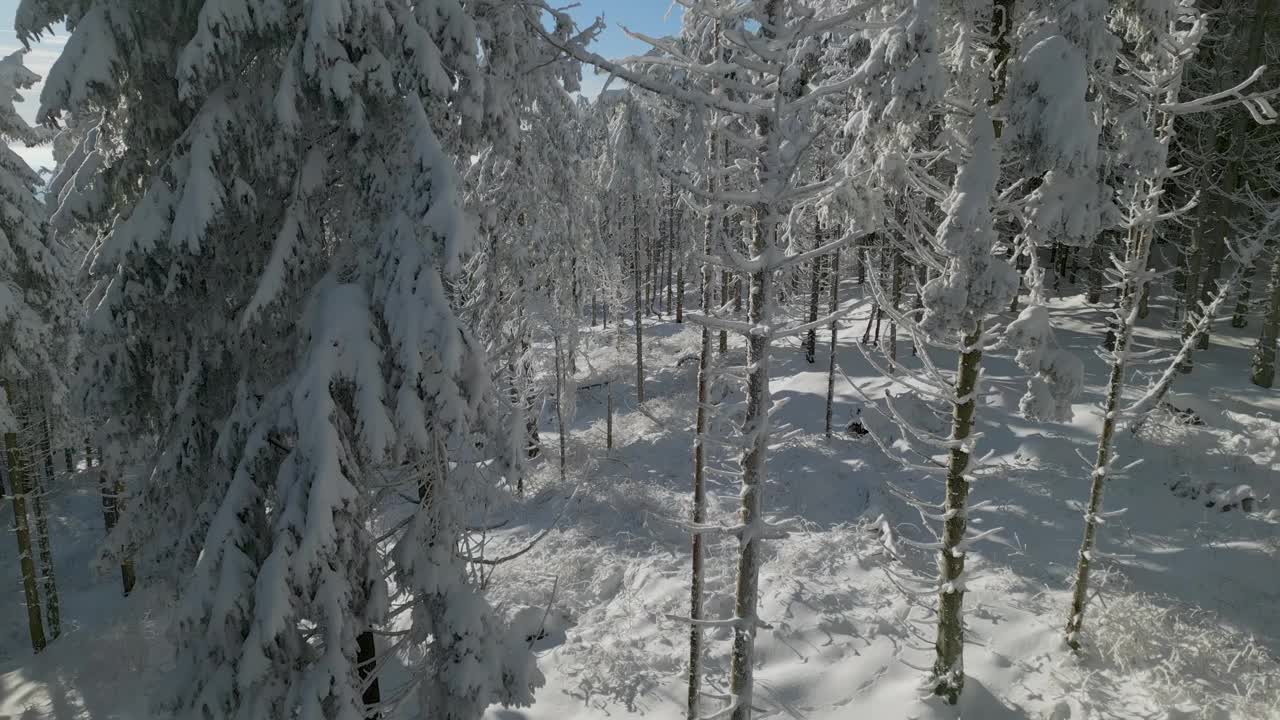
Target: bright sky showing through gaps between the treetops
[(651, 17)]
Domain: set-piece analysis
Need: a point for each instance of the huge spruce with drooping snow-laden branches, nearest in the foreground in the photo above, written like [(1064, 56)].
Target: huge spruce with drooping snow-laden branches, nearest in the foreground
[(271, 317)]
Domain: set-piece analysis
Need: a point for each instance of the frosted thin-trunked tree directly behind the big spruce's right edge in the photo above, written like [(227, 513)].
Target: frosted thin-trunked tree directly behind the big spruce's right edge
[(533, 236)]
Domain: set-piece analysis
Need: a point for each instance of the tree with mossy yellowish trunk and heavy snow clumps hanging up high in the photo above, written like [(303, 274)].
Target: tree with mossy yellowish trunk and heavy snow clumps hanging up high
[(1025, 149)]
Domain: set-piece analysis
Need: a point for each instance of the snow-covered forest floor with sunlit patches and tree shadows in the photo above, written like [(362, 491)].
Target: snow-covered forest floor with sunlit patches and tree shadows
[(1186, 623)]
